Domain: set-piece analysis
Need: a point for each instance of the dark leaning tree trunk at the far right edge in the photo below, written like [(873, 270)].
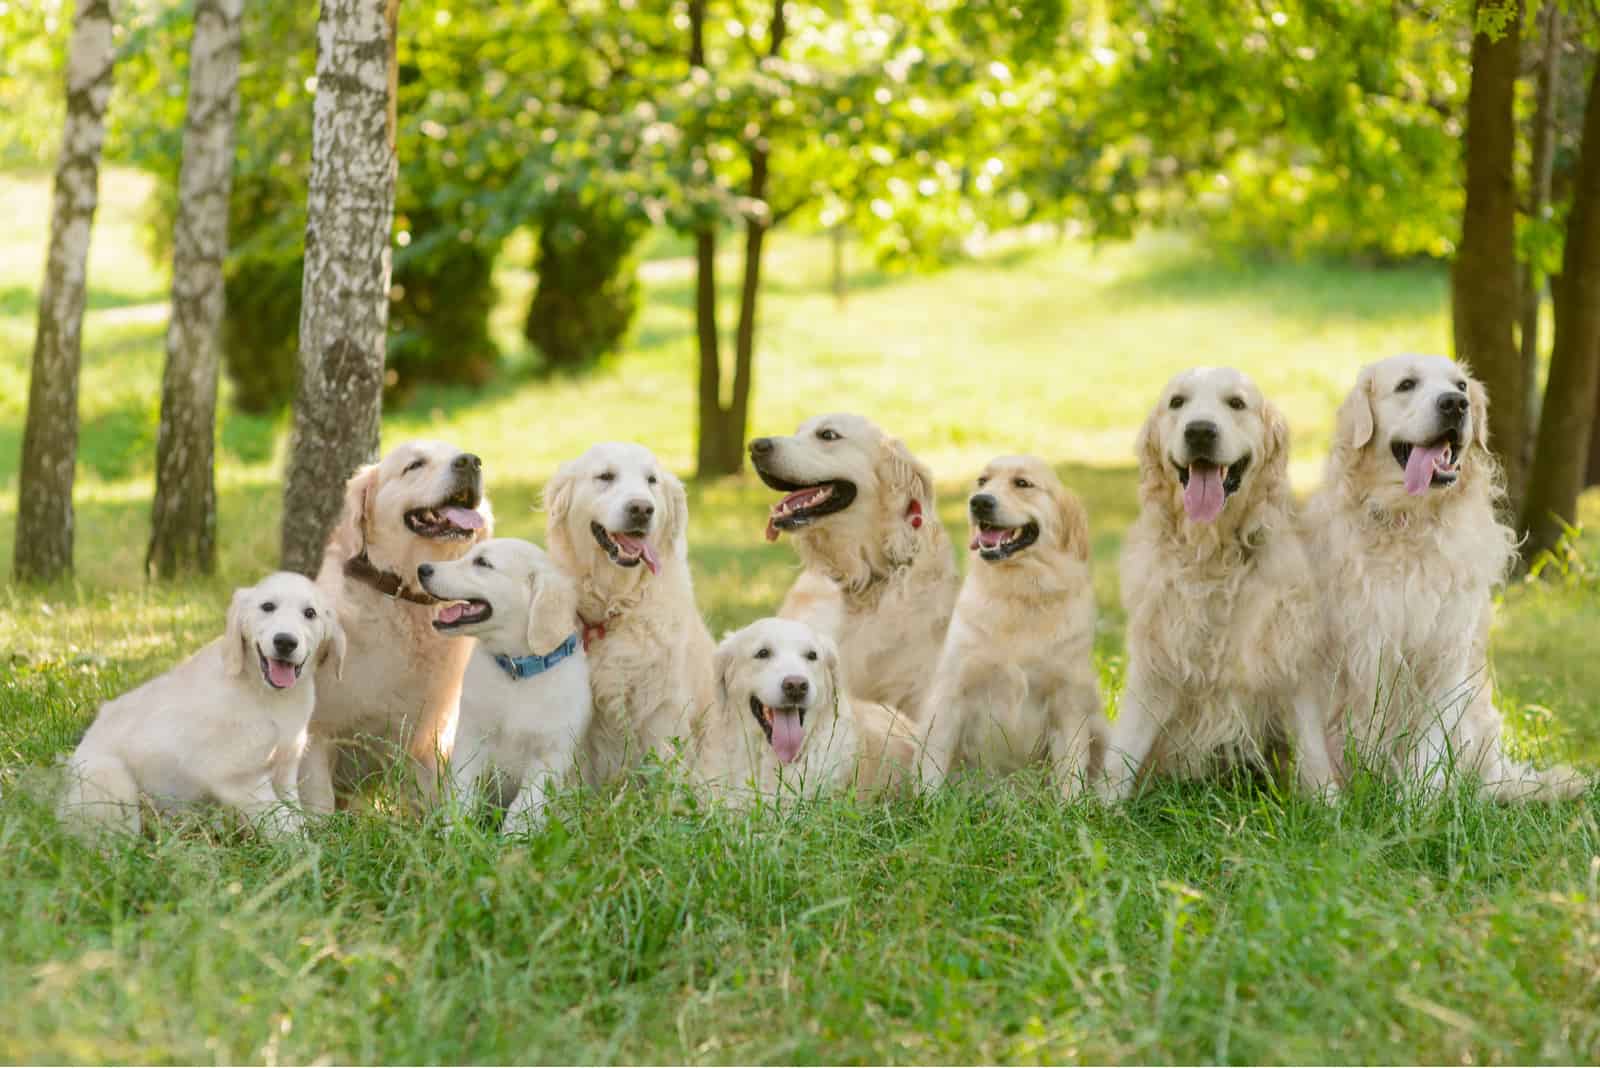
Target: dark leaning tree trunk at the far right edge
[(1570, 396)]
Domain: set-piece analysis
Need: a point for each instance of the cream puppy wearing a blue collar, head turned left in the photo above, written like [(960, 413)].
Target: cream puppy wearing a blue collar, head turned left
[(526, 703)]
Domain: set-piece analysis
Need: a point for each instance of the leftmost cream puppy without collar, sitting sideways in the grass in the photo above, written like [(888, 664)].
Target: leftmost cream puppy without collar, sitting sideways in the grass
[(225, 727)]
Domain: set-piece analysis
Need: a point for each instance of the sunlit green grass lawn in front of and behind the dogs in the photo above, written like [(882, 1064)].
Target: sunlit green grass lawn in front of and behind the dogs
[(1199, 923)]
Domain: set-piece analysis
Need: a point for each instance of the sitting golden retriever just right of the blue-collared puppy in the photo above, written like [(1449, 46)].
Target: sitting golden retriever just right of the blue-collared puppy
[(618, 524)]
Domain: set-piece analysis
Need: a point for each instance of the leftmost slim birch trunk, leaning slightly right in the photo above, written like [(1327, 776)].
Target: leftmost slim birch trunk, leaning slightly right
[(50, 442)]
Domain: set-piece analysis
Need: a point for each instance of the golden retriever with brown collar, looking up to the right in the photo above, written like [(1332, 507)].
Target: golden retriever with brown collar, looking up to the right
[(402, 685)]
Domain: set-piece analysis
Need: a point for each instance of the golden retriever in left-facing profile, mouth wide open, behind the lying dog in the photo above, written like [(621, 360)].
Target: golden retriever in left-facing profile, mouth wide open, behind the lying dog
[(881, 578)]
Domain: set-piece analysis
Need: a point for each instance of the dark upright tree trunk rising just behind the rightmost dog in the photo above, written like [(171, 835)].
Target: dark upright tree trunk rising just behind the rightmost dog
[(1484, 284)]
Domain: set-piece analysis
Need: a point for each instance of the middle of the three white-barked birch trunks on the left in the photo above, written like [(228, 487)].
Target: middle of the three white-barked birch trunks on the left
[(183, 516)]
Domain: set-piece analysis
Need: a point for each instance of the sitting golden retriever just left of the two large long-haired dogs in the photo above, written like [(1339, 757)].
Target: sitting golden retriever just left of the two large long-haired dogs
[(1017, 680)]
